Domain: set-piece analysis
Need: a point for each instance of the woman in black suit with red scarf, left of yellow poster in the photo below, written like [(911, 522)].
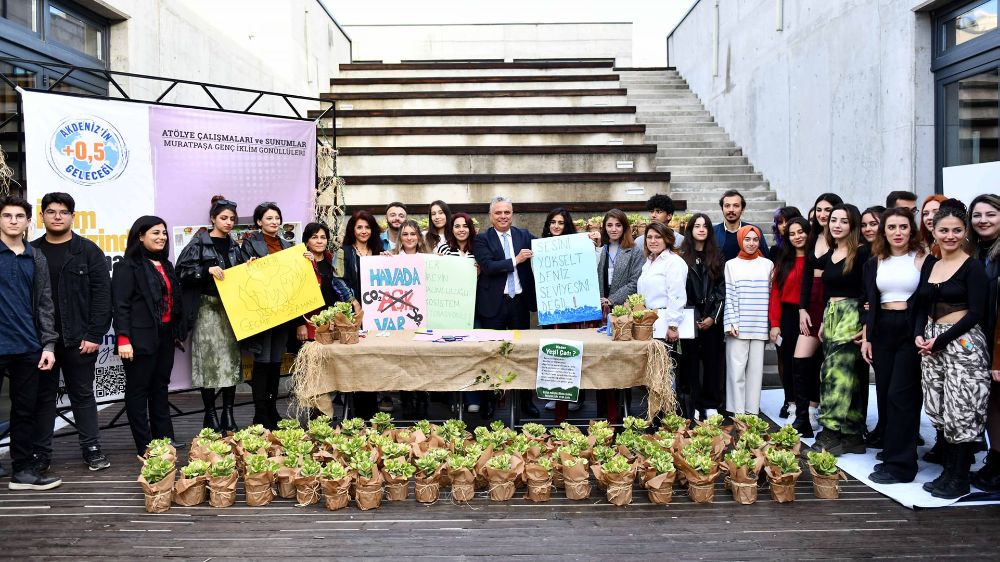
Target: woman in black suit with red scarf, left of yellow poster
[(149, 322)]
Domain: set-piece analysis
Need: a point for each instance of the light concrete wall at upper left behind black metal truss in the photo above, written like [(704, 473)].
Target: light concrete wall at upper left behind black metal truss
[(293, 47)]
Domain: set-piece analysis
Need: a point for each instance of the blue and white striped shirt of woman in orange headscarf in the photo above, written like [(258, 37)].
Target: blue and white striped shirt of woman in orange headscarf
[(747, 295)]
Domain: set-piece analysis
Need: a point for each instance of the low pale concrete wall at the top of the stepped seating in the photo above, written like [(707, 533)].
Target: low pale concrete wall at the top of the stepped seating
[(392, 43)]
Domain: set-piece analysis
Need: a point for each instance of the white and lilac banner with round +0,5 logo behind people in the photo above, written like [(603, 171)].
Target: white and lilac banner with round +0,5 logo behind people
[(120, 160)]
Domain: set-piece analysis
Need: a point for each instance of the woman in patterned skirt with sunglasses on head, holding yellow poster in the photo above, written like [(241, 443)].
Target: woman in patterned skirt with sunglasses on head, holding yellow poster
[(215, 355)]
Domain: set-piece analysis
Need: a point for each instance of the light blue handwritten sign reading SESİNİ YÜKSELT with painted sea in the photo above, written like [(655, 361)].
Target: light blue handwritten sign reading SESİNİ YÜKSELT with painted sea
[(565, 269)]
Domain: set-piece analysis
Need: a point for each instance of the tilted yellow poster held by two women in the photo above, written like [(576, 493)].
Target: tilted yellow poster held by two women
[(269, 291)]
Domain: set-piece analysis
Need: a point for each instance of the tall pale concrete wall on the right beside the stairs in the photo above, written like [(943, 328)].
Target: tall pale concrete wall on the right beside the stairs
[(839, 99)]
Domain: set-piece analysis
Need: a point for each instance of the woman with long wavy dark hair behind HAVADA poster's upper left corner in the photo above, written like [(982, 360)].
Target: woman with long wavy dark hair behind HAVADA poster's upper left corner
[(362, 238)]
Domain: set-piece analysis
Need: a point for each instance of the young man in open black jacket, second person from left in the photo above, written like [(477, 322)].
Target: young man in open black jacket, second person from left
[(81, 292)]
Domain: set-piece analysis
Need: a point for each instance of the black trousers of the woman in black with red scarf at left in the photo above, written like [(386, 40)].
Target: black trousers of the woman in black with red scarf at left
[(147, 381)]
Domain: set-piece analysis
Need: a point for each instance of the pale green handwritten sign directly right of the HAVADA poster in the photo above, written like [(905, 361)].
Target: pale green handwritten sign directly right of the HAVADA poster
[(451, 291)]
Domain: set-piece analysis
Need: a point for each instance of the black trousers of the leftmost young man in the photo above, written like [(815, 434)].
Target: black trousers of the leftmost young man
[(22, 369)]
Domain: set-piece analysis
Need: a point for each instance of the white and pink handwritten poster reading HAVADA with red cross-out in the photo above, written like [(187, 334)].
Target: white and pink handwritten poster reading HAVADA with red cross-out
[(393, 292)]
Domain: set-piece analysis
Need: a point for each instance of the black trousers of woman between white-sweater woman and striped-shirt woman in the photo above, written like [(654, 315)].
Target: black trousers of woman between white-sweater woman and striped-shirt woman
[(702, 368)]
